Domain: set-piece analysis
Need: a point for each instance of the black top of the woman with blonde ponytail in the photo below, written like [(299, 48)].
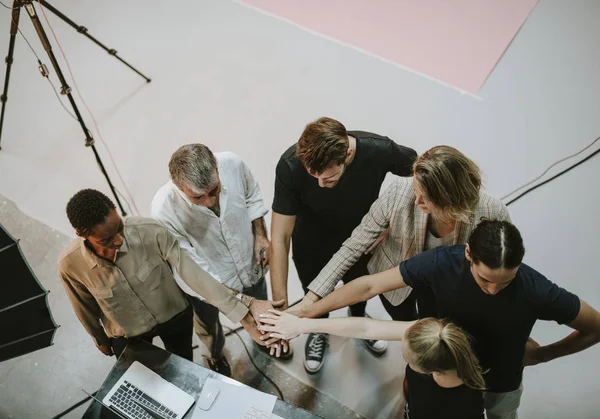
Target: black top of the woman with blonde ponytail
[(425, 399)]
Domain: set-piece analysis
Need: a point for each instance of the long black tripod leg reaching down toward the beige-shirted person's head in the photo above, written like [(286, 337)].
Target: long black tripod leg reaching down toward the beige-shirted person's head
[(66, 90)]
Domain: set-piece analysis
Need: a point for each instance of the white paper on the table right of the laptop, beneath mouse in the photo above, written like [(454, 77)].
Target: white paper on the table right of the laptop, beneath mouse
[(233, 400)]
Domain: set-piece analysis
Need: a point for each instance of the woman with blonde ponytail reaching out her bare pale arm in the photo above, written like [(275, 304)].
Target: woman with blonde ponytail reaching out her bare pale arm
[(443, 377)]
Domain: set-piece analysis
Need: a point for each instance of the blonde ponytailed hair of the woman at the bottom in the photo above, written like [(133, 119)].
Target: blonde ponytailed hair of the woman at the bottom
[(443, 346)]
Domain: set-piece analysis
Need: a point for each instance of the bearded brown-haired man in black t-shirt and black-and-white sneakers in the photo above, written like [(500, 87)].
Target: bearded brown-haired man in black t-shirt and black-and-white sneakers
[(324, 186)]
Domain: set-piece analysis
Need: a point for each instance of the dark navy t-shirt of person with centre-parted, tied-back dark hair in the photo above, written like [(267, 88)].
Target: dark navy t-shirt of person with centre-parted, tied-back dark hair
[(499, 324)]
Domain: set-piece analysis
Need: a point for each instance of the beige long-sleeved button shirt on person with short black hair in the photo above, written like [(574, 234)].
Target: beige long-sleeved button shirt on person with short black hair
[(137, 292)]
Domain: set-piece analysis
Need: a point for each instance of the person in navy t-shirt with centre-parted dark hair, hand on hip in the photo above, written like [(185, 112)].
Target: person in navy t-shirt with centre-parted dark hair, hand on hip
[(484, 288)]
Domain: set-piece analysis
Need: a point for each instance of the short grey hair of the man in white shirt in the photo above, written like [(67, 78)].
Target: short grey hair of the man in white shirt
[(195, 166)]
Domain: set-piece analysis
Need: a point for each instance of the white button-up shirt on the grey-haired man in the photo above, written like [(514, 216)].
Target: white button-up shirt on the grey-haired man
[(223, 246)]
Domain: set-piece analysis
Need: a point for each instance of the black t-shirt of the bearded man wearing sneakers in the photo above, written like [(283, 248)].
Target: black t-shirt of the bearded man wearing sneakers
[(325, 217)]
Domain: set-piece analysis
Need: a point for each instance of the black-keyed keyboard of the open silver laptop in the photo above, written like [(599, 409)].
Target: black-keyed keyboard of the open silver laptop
[(128, 399)]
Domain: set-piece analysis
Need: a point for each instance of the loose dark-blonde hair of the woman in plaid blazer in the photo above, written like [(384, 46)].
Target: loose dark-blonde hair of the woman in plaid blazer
[(450, 180)]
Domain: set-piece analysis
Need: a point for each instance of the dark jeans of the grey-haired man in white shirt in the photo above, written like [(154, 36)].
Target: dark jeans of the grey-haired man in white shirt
[(206, 319)]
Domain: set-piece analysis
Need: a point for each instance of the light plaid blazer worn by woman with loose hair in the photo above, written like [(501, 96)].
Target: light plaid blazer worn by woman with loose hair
[(407, 224)]
